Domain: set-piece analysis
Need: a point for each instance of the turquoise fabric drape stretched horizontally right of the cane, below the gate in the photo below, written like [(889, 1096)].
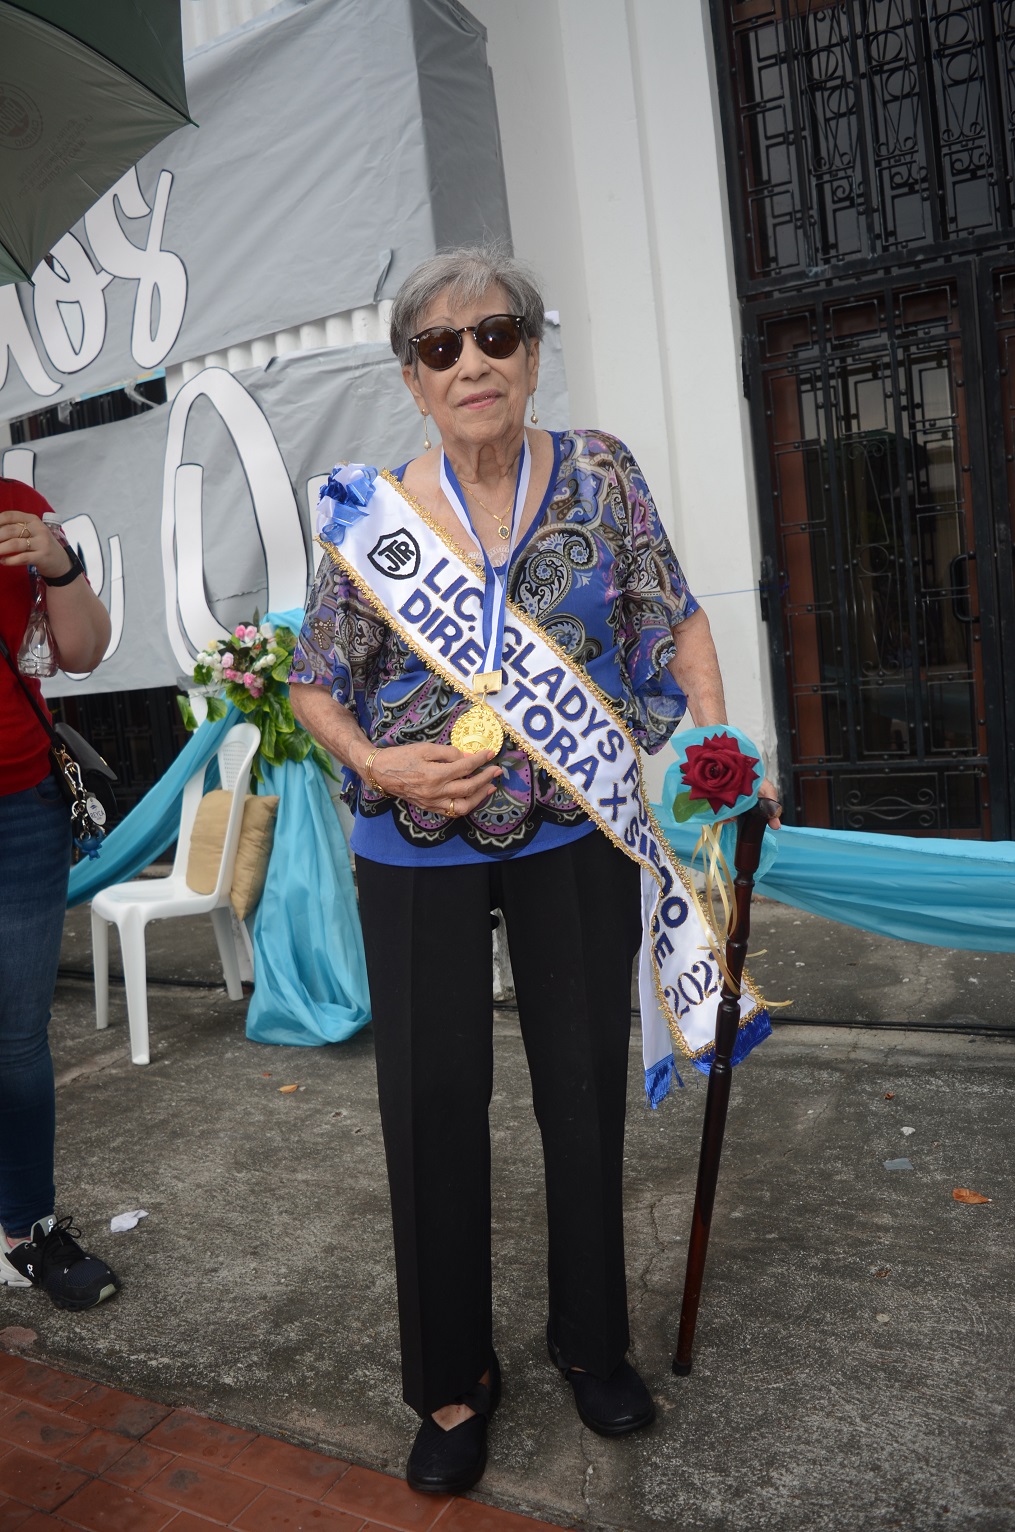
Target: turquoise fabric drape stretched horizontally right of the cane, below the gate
[(944, 894)]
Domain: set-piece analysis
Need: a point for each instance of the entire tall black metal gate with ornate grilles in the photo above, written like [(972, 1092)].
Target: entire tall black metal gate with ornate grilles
[(872, 166)]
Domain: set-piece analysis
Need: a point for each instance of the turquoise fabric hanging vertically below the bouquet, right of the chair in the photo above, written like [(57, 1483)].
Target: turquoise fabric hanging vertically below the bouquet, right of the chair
[(308, 949)]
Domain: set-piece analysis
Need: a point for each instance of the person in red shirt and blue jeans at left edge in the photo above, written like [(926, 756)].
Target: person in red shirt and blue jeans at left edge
[(36, 1248)]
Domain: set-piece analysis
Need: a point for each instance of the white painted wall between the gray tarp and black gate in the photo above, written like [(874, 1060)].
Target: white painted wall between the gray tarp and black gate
[(616, 191)]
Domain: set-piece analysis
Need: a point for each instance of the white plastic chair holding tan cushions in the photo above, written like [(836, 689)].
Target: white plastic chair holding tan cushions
[(131, 906)]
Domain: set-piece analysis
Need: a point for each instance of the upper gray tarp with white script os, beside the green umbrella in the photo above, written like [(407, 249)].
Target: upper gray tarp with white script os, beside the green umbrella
[(339, 145)]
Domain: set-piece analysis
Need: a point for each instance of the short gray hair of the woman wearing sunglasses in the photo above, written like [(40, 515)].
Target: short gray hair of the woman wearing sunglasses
[(466, 272)]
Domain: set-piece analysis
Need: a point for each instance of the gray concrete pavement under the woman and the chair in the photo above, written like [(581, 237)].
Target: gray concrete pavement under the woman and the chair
[(855, 1347)]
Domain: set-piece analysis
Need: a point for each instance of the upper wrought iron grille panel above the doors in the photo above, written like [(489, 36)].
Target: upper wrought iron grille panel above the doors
[(869, 129)]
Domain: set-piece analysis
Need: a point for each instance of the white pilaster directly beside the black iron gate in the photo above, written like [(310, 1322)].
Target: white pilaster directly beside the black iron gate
[(716, 525)]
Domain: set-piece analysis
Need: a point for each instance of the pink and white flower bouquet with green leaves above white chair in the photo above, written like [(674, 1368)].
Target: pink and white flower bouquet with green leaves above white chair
[(252, 670)]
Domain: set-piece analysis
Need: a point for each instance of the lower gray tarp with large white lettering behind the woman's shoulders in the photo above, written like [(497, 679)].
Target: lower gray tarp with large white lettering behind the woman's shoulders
[(200, 512)]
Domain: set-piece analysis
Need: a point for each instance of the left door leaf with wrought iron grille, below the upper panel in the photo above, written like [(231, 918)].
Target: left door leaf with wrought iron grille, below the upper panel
[(869, 479)]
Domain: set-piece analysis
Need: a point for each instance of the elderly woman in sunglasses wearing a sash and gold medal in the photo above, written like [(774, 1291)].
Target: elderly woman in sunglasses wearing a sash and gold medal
[(452, 822)]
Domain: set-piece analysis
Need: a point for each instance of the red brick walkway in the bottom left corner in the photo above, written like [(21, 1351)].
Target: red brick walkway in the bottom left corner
[(76, 1455)]
